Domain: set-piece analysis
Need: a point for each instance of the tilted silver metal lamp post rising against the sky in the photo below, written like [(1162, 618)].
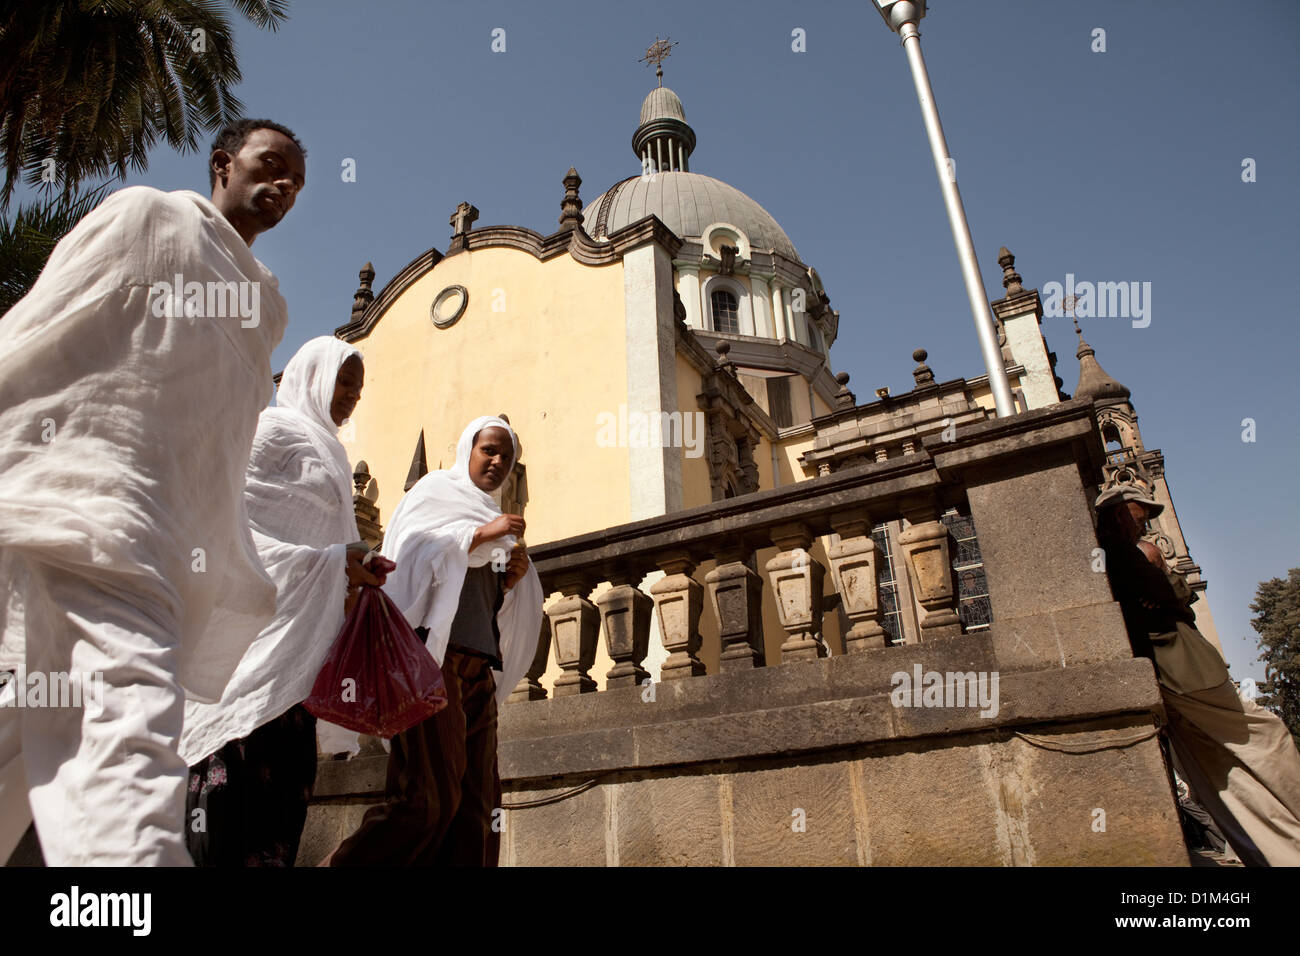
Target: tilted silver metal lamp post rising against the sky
[(903, 18)]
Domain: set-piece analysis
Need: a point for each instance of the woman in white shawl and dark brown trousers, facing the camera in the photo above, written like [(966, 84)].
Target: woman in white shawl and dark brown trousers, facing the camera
[(465, 578)]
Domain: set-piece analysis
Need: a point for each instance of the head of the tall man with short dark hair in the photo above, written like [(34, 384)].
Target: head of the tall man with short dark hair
[(259, 185)]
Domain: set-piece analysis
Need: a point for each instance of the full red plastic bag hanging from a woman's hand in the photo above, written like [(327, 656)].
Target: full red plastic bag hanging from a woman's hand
[(379, 677)]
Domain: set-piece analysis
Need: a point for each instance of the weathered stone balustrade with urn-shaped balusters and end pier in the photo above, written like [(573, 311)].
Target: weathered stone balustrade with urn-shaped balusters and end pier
[(998, 470)]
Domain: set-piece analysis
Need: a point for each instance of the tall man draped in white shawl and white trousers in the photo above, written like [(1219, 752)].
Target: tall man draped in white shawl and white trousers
[(136, 370)]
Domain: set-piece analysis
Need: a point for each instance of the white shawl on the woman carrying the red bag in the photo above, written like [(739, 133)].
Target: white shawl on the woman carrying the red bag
[(300, 498)]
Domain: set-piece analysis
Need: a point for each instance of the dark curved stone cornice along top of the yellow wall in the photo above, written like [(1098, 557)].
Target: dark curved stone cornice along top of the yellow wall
[(577, 243)]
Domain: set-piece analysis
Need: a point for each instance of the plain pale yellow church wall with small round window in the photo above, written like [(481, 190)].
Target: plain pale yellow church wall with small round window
[(544, 343)]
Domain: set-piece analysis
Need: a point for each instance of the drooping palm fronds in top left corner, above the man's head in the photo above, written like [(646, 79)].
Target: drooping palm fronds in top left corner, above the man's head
[(93, 85)]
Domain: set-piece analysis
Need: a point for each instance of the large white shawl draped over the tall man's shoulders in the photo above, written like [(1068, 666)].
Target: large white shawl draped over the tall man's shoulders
[(125, 431)]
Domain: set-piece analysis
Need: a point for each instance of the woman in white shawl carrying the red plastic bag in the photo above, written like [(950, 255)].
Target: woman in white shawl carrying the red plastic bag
[(253, 755)]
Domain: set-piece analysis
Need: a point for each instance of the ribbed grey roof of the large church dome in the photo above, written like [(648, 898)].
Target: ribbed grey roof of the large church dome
[(688, 204)]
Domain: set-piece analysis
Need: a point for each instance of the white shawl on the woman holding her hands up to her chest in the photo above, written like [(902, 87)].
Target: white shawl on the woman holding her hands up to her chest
[(430, 539)]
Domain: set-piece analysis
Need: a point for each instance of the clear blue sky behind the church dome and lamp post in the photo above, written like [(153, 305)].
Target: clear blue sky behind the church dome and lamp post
[(1117, 166)]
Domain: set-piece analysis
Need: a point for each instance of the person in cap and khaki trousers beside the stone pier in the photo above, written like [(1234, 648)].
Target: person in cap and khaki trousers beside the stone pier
[(1240, 759)]
